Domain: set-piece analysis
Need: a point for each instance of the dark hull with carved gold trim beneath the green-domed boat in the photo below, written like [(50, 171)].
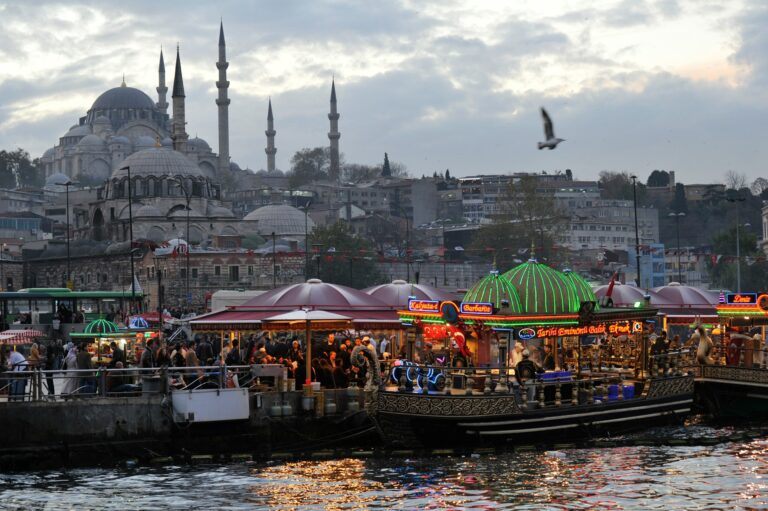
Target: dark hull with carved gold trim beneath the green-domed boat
[(432, 420)]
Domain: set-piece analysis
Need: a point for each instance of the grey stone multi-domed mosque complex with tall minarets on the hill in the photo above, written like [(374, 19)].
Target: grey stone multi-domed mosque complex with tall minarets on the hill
[(175, 181)]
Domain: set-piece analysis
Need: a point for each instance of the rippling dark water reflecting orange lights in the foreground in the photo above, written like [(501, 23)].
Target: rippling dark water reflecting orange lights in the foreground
[(724, 476)]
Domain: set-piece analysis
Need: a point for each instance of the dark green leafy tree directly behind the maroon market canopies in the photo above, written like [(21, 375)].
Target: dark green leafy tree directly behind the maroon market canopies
[(344, 258)]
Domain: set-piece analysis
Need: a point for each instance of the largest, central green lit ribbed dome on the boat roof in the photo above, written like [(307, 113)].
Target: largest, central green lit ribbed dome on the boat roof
[(543, 290)]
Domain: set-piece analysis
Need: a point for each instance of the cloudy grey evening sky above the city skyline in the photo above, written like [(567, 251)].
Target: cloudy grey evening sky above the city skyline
[(631, 85)]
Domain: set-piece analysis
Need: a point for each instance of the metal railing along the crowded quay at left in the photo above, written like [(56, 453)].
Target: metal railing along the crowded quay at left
[(35, 384)]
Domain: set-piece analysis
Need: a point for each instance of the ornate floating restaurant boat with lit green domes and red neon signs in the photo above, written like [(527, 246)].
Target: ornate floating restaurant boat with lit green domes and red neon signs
[(604, 380)]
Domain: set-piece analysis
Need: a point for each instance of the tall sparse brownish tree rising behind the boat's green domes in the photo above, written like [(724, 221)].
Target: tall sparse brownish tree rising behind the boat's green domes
[(526, 218)]
